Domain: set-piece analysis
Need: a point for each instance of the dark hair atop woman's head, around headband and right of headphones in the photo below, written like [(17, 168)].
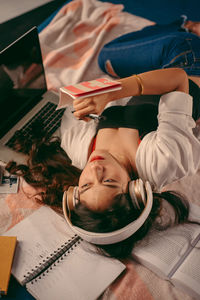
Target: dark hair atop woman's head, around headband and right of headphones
[(122, 213)]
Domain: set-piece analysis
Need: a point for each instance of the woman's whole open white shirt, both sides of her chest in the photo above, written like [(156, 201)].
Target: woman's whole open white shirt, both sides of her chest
[(163, 156)]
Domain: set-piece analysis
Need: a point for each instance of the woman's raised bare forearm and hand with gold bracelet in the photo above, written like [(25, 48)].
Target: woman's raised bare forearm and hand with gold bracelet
[(155, 82)]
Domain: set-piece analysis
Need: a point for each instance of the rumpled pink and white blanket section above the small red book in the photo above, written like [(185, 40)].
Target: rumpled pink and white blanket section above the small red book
[(71, 42)]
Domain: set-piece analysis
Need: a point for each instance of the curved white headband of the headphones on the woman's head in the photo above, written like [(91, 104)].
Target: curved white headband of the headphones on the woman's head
[(117, 235)]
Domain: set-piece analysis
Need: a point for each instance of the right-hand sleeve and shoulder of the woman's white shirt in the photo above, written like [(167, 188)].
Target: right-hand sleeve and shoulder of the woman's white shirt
[(172, 151)]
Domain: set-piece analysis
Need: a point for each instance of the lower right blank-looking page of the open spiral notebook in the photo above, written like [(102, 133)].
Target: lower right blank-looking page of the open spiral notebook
[(80, 275)]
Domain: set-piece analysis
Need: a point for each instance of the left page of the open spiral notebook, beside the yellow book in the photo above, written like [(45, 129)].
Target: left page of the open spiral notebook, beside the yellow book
[(38, 235)]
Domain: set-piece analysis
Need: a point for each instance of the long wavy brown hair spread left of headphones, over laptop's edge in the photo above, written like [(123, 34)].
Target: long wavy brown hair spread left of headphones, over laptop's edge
[(48, 167)]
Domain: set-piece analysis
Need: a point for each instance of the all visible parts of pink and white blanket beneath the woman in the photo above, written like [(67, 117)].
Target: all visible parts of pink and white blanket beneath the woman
[(70, 46)]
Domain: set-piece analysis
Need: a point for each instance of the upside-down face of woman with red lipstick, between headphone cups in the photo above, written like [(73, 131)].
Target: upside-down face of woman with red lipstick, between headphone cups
[(102, 178)]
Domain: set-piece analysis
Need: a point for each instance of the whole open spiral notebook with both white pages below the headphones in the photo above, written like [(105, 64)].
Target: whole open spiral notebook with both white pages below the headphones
[(53, 263)]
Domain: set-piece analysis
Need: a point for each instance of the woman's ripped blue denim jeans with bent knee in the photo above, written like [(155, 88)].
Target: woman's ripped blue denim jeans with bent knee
[(154, 47)]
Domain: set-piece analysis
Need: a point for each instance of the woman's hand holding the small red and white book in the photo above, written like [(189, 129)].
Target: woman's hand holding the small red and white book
[(91, 105)]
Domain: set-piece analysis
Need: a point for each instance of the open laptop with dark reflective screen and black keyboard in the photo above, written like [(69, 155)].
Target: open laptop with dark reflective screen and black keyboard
[(24, 99)]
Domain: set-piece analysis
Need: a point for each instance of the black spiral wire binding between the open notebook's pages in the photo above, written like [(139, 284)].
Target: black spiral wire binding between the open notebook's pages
[(52, 259)]
